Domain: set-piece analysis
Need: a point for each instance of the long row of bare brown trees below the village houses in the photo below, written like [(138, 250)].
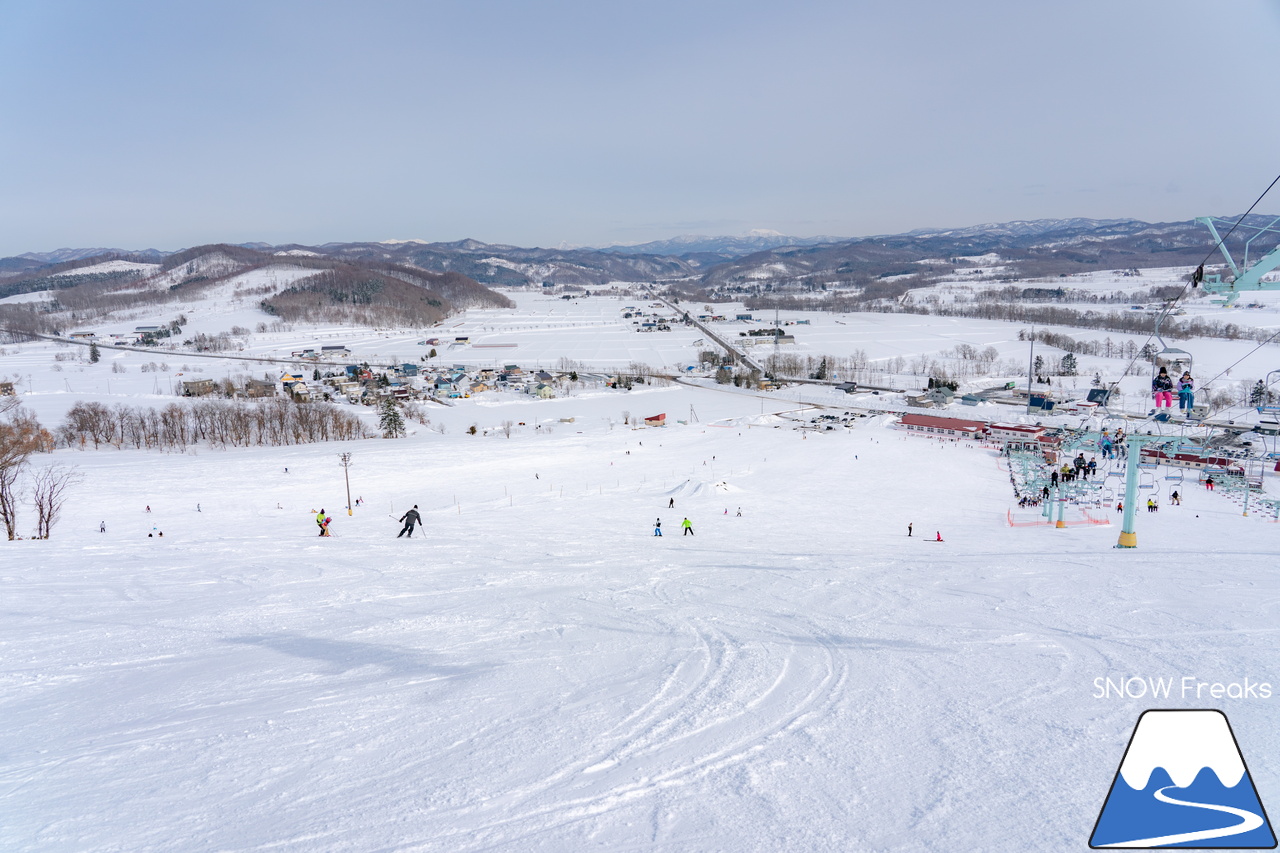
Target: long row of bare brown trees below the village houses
[(218, 423)]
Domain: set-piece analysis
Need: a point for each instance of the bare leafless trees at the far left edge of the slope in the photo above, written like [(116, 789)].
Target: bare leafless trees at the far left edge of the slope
[(22, 437)]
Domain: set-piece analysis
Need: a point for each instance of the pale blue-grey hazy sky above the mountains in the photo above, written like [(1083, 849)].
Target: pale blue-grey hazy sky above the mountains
[(159, 124)]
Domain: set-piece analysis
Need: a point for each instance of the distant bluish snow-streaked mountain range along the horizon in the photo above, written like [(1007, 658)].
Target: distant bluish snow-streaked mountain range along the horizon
[(760, 259)]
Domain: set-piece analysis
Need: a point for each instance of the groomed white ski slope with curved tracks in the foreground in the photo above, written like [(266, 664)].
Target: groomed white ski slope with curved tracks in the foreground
[(537, 672)]
